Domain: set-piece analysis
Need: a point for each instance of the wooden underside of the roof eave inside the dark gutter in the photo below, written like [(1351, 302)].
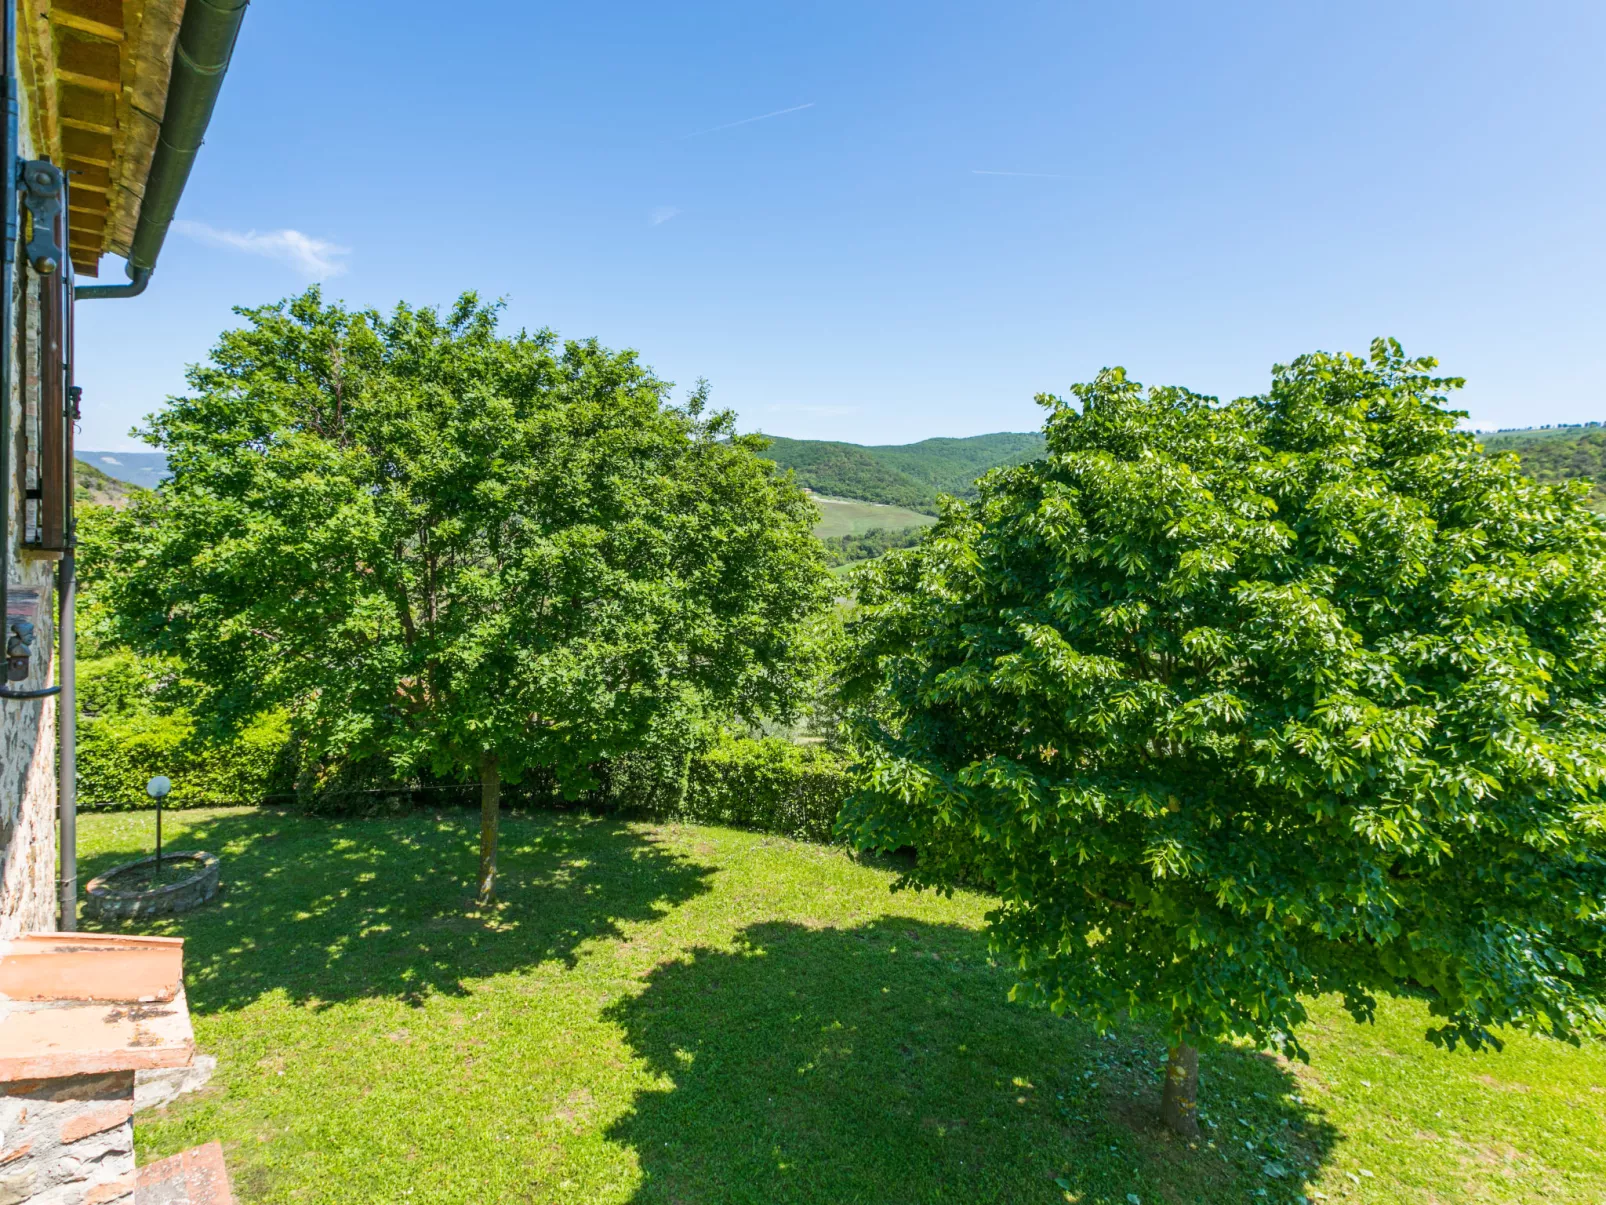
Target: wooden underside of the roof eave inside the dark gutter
[(96, 78)]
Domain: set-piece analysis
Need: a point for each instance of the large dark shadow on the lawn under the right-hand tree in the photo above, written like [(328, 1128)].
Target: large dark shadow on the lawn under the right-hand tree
[(884, 1064)]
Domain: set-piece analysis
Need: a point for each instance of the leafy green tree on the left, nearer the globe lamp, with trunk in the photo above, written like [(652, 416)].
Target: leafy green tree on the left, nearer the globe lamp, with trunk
[(446, 547)]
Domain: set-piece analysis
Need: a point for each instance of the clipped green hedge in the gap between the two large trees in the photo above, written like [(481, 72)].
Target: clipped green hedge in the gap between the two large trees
[(773, 786)]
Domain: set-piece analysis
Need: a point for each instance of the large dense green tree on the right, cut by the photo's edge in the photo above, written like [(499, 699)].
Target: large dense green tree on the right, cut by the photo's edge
[(1242, 703)]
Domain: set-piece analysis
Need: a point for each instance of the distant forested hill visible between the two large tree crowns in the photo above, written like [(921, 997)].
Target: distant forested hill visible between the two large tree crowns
[(902, 475)]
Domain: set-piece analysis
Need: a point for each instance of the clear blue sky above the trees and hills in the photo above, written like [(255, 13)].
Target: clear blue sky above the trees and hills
[(979, 203)]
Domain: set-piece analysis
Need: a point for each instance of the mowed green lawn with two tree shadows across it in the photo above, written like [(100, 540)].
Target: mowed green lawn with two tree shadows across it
[(695, 1015)]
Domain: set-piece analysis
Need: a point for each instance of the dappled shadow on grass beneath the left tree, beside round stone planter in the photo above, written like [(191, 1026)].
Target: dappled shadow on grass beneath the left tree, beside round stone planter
[(333, 910)]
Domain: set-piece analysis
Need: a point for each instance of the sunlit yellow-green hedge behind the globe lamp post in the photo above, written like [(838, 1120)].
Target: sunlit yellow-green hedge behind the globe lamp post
[(128, 737)]
